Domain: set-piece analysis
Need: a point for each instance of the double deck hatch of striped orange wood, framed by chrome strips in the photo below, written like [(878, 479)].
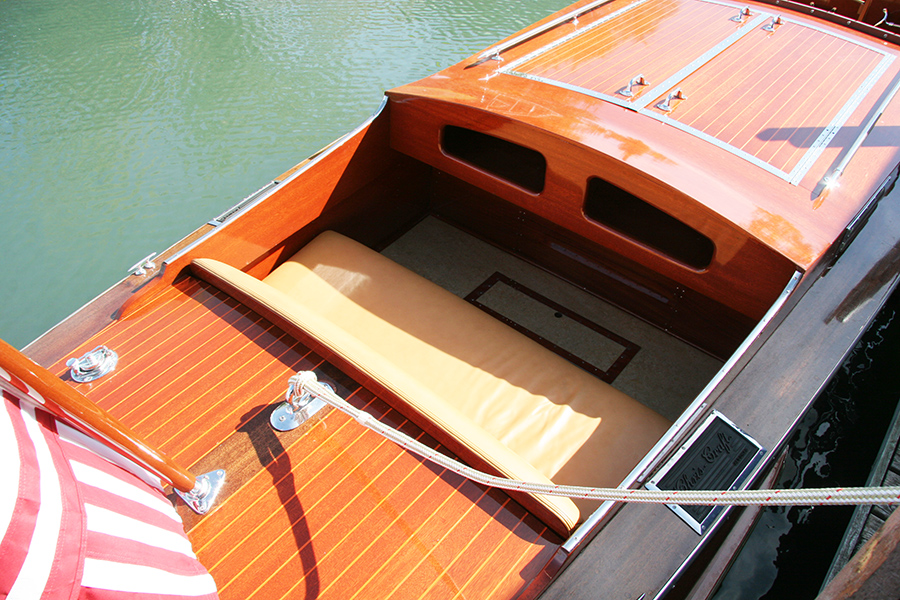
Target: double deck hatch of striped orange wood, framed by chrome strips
[(771, 90)]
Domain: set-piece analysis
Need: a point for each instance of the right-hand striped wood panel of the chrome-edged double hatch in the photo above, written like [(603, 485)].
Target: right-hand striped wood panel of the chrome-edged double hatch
[(773, 93)]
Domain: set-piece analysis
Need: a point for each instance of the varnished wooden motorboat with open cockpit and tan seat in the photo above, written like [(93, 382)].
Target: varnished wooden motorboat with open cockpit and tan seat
[(638, 232)]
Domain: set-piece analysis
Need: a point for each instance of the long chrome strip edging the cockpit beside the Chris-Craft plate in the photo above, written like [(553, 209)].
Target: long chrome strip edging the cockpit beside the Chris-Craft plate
[(687, 418)]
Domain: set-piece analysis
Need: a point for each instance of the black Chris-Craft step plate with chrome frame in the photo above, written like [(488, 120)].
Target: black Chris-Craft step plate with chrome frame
[(719, 456)]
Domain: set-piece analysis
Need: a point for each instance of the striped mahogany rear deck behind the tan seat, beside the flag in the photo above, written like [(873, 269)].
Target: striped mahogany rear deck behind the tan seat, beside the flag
[(328, 510)]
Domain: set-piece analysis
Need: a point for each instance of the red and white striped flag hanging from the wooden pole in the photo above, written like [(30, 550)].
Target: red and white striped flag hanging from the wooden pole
[(79, 521)]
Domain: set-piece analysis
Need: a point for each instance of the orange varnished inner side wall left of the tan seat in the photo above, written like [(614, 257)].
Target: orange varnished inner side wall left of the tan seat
[(356, 186)]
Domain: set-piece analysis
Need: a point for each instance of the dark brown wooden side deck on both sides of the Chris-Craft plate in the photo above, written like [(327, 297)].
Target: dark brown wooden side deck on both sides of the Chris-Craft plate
[(785, 370)]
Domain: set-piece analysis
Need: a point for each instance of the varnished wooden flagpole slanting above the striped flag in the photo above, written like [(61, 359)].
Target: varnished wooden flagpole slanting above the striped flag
[(73, 408)]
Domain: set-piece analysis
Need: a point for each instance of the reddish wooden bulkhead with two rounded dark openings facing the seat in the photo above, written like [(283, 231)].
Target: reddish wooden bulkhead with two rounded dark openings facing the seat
[(744, 275)]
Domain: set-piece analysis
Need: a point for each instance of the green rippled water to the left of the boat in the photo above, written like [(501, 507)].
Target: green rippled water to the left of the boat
[(126, 124)]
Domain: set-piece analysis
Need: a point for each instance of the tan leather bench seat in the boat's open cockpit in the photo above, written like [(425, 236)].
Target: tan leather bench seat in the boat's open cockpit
[(470, 374)]
